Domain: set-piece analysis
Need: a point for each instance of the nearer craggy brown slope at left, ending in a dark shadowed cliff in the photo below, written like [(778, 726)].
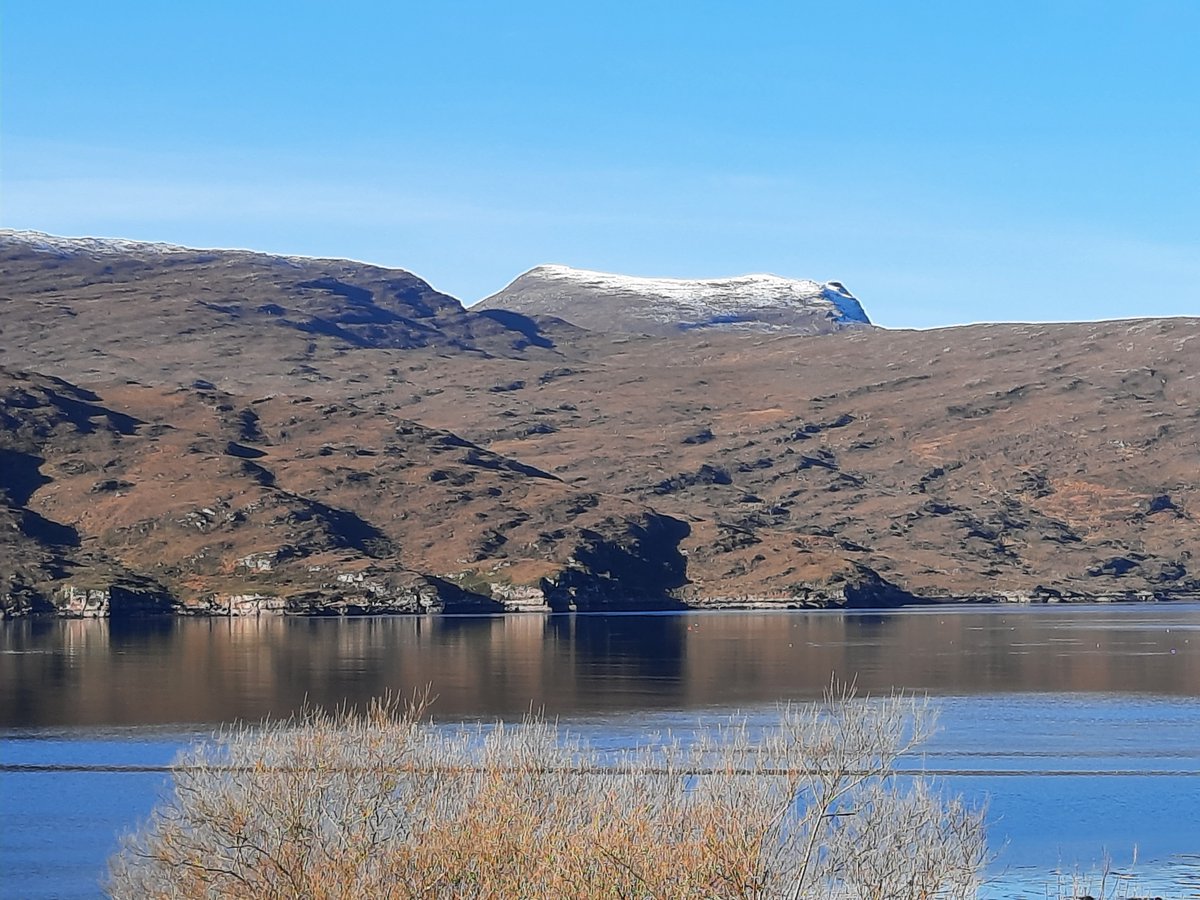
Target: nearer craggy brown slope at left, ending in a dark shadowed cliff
[(212, 503)]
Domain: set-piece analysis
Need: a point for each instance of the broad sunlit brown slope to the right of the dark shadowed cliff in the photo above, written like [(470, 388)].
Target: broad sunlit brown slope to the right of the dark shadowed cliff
[(976, 461)]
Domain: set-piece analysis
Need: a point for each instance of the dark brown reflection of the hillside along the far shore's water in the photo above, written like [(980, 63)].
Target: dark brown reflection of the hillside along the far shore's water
[(218, 670)]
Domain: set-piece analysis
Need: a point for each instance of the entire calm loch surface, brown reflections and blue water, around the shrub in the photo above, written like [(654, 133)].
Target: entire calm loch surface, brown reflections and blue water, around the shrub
[(1081, 727)]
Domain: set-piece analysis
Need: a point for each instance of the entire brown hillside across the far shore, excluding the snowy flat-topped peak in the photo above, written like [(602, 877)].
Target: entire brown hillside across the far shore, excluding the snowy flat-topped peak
[(171, 442)]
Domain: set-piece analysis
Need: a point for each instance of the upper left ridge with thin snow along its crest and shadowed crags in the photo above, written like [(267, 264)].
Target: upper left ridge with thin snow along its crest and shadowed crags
[(89, 307)]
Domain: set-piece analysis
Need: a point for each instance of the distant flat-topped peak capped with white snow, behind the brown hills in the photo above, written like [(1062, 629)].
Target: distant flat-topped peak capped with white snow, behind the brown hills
[(662, 307)]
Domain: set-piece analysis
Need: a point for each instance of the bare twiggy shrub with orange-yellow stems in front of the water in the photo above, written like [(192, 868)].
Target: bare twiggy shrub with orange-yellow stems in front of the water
[(388, 806)]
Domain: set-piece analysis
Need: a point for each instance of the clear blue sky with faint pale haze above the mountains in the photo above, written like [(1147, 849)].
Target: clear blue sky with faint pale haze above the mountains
[(949, 161)]
